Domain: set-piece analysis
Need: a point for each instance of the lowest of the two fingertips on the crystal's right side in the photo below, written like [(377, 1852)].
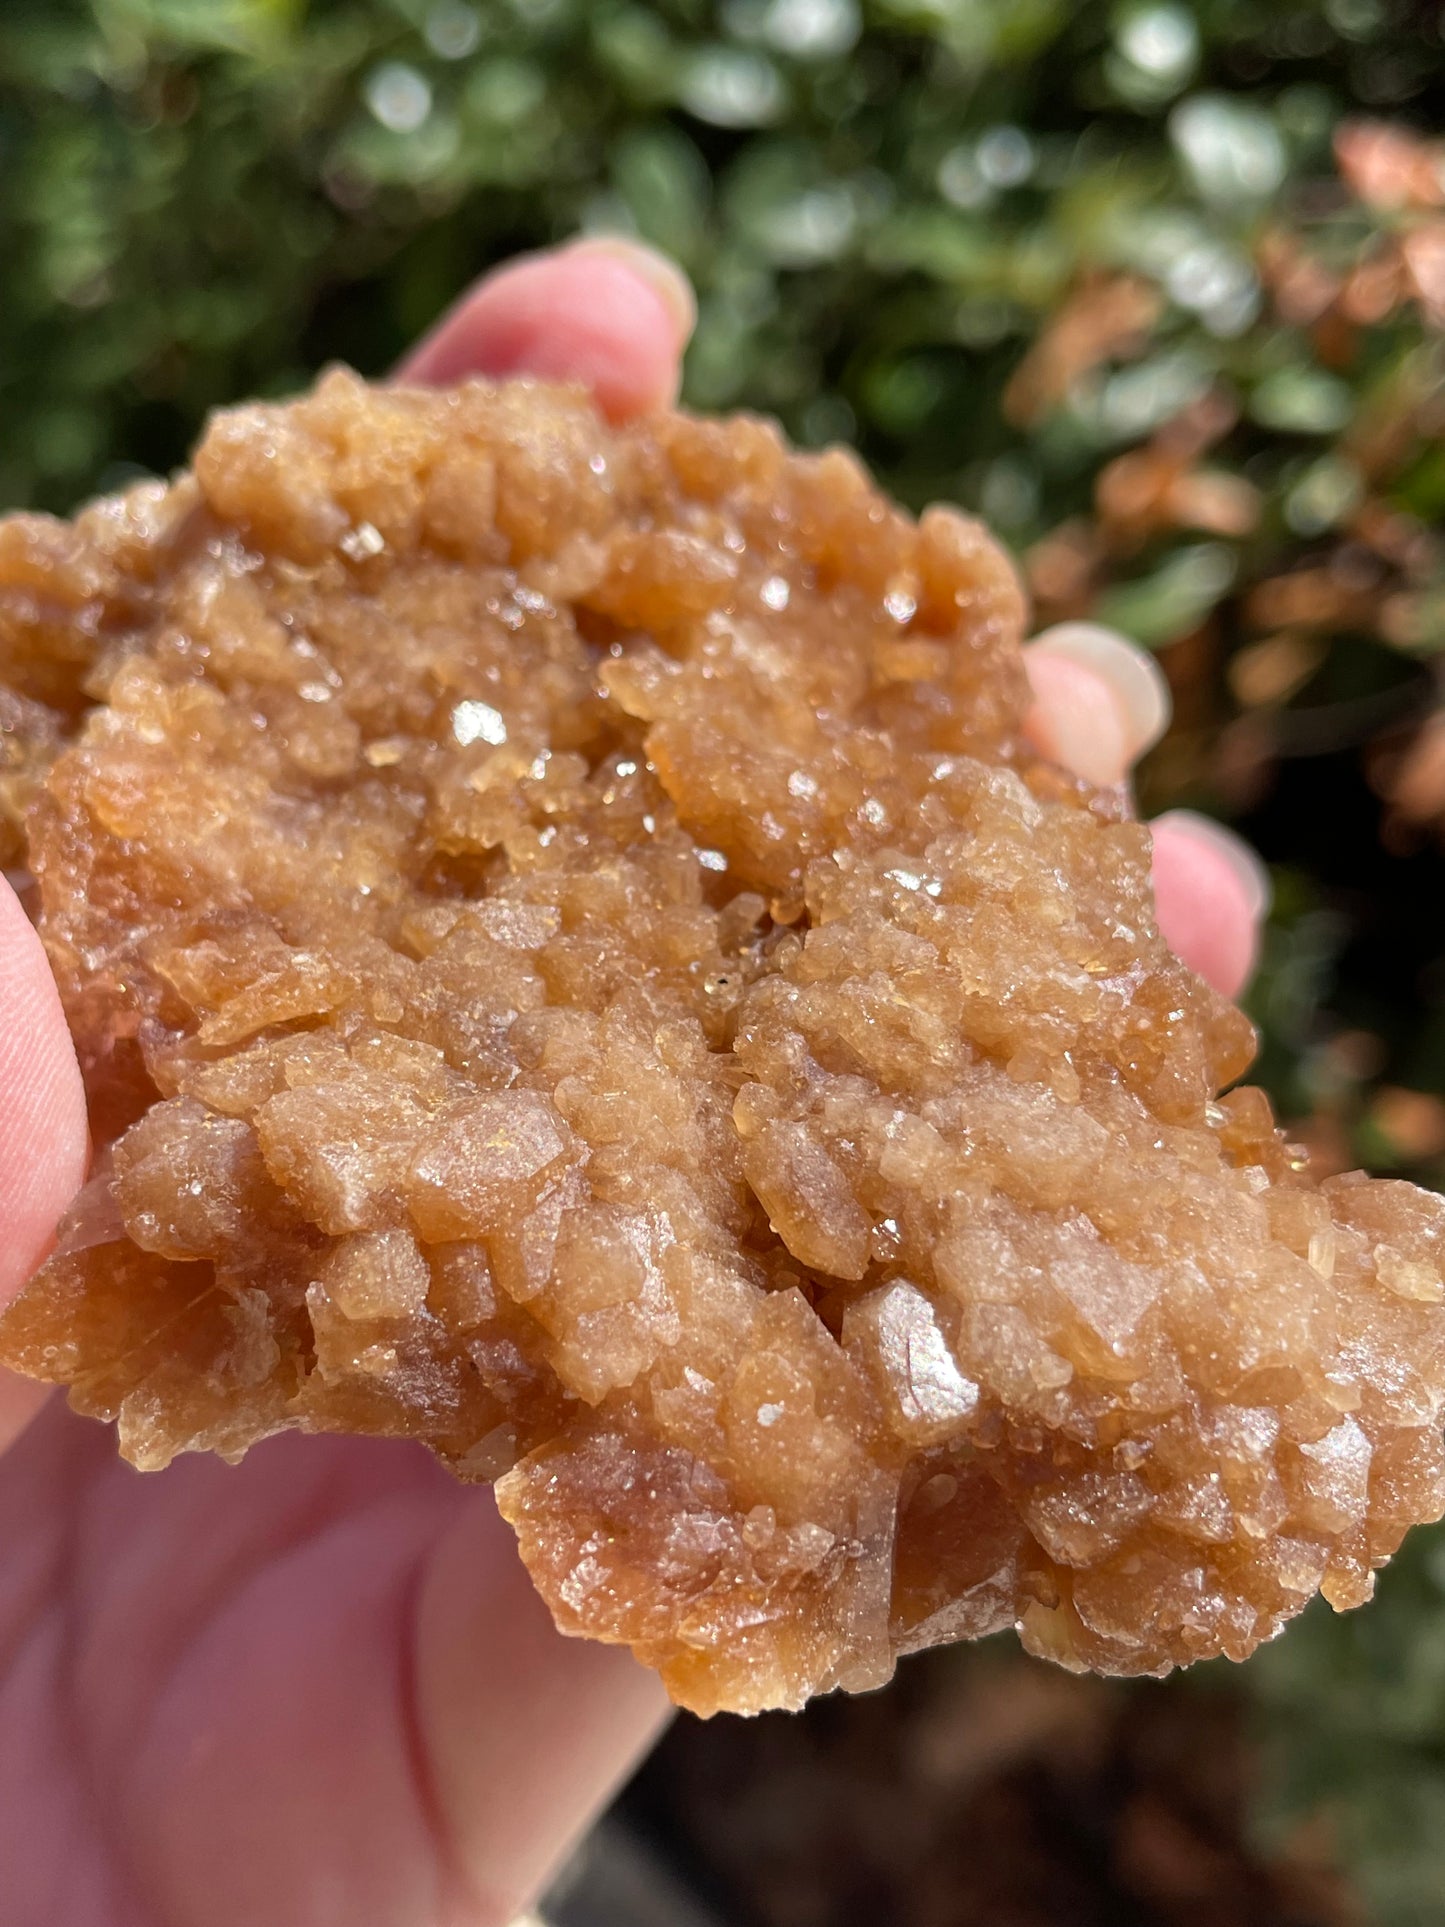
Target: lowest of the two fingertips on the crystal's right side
[(1211, 895)]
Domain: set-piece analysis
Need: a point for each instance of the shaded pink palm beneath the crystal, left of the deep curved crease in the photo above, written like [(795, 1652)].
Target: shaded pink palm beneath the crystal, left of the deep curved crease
[(209, 1685)]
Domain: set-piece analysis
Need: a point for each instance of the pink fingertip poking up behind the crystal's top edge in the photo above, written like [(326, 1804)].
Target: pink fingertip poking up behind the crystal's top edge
[(608, 313)]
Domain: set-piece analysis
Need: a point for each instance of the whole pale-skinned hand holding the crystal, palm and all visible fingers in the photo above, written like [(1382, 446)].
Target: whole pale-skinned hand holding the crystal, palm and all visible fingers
[(319, 1691)]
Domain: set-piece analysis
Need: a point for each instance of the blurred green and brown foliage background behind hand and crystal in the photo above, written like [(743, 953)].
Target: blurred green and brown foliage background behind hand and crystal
[(1159, 288)]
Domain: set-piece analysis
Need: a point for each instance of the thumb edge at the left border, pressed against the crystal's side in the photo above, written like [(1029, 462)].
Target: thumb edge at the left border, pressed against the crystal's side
[(43, 1128)]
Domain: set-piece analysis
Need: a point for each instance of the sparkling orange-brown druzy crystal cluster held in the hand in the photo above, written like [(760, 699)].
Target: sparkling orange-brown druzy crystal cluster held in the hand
[(575, 964)]
